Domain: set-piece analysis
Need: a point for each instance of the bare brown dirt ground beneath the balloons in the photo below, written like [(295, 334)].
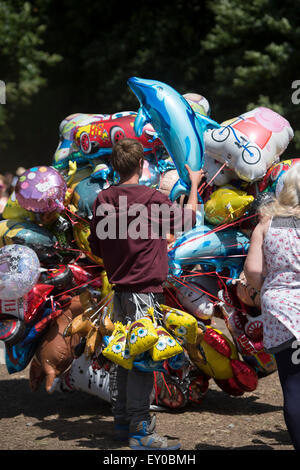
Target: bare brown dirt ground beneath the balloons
[(78, 421)]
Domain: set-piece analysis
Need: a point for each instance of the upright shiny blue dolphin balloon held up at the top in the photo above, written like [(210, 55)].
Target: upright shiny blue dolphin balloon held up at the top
[(176, 124)]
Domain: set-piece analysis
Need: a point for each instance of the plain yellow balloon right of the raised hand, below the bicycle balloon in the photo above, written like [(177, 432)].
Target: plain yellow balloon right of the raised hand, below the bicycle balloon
[(226, 204)]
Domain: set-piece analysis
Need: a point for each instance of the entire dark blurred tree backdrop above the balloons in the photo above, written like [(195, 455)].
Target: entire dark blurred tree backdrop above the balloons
[(58, 57)]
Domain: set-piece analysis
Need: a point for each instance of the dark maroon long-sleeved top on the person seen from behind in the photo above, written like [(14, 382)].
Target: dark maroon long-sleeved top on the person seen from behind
[(134, 252)]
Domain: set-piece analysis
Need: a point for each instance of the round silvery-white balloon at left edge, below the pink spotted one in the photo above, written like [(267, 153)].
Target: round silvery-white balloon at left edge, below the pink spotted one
[(19, 271)]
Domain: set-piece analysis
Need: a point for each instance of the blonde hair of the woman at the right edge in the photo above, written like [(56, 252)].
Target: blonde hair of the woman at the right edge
[(287, 203)]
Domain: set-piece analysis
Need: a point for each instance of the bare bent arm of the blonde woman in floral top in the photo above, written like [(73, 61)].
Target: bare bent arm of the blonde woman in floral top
[(254, 264)]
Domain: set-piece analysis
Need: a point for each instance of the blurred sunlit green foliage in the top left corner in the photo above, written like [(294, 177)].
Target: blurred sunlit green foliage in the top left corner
[(21, 59)]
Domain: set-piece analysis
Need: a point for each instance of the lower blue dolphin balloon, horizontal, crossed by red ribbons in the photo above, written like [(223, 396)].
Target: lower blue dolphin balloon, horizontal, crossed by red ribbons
[(201, 245)]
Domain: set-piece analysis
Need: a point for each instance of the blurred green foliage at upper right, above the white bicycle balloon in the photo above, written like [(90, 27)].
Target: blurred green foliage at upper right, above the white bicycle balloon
[(255, 47)]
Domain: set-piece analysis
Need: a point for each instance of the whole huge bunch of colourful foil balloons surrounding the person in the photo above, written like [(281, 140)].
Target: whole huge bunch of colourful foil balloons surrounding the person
[(56, 304)]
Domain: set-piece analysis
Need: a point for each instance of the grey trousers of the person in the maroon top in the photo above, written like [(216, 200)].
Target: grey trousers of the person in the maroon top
[(131, 397)]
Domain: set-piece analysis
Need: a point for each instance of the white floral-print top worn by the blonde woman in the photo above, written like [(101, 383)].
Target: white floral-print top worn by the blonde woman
[(280, 293)]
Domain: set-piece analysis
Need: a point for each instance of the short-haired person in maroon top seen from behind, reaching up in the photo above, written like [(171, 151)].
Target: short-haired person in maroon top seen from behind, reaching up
[(137, 266)]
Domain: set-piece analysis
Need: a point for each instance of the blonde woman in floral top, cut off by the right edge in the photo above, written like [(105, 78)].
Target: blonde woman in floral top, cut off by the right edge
[(272, 267)]
